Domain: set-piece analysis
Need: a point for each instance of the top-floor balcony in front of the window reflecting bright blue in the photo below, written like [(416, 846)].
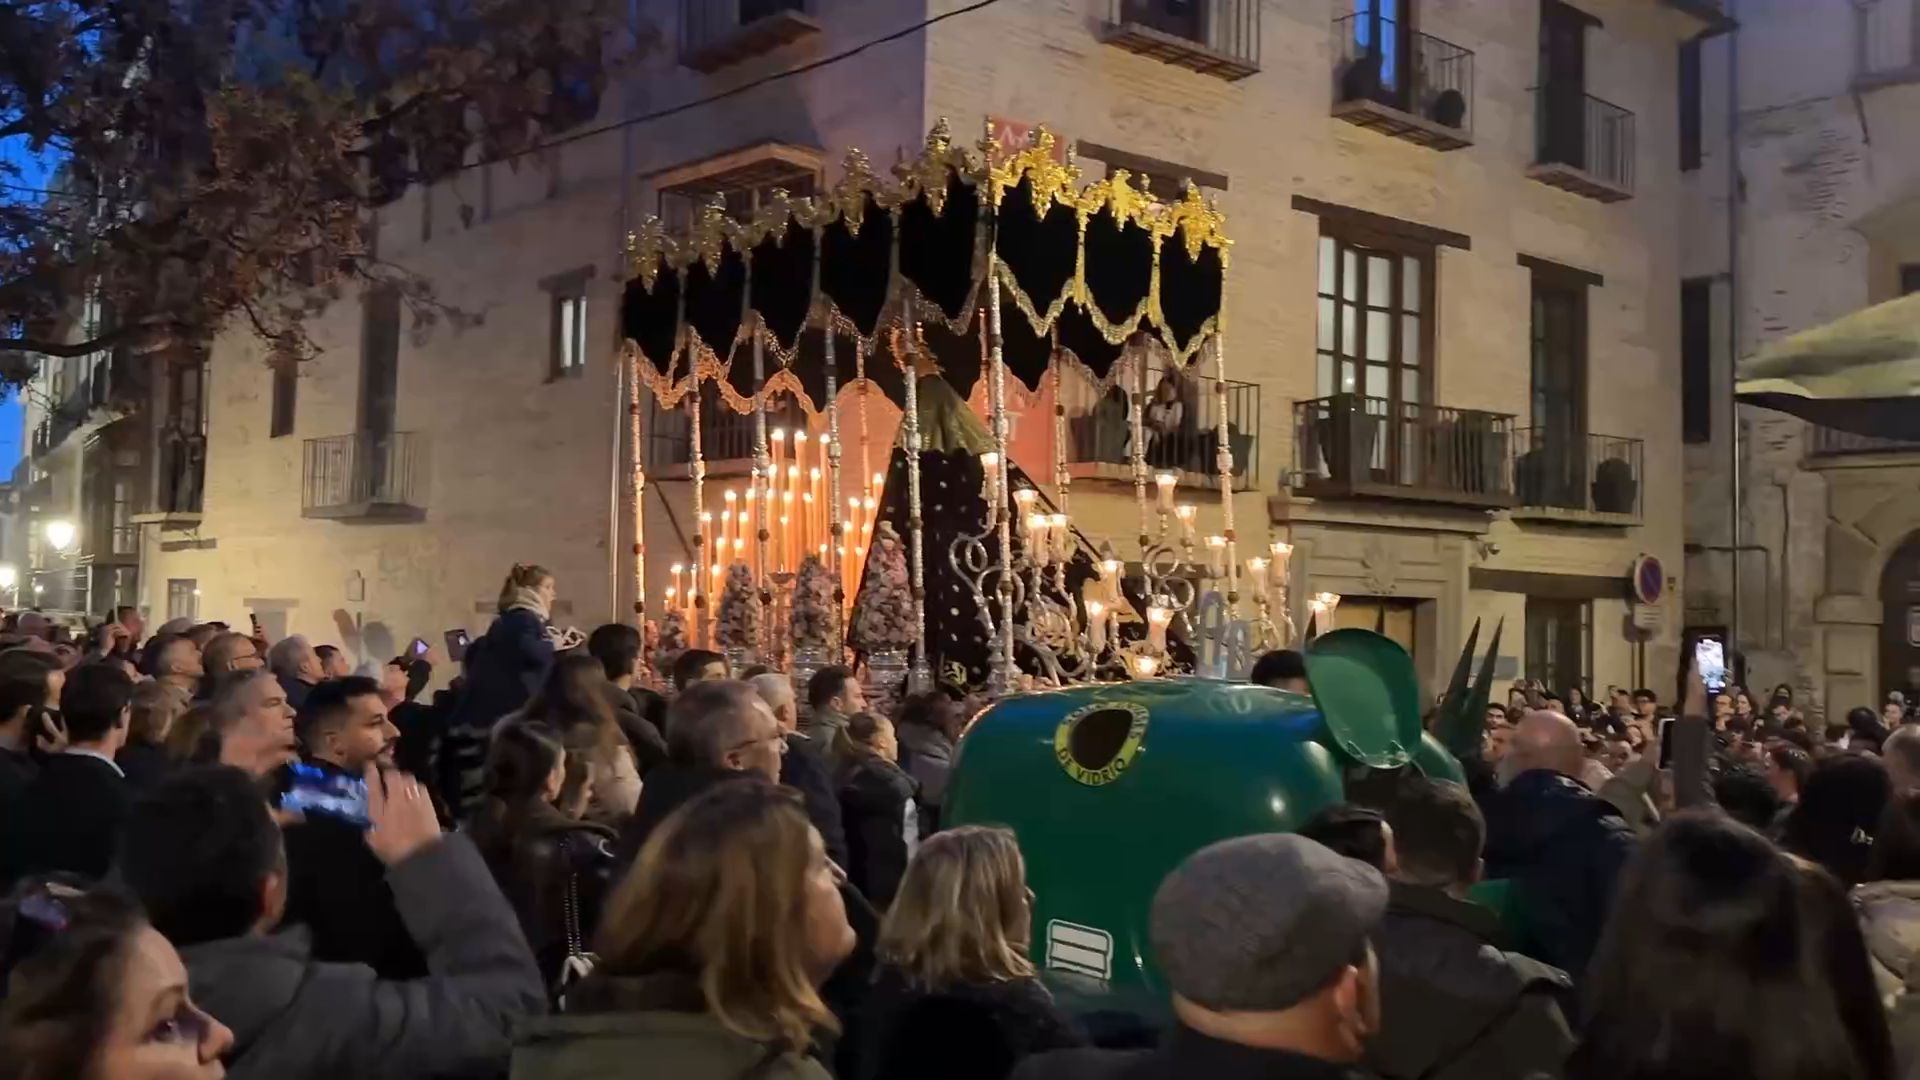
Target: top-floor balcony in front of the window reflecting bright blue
[(1403, 84)]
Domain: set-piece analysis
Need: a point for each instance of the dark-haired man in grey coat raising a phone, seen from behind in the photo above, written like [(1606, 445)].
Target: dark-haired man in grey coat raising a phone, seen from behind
[(208, 866)]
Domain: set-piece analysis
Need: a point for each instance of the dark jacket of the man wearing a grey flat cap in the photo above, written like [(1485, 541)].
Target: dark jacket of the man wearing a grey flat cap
[(1186, 1056)]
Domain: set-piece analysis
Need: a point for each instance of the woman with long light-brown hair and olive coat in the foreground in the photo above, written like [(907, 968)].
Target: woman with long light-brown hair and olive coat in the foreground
[(711, 952)]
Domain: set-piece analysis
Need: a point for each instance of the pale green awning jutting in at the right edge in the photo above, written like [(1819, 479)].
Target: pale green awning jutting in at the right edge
[(1860, 374)]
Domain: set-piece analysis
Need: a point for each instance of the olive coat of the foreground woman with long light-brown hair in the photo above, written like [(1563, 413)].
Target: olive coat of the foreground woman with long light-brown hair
[(654, 1025)]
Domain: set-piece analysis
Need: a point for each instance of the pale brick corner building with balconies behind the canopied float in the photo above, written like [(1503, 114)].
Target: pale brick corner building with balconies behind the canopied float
[(1500, 451)]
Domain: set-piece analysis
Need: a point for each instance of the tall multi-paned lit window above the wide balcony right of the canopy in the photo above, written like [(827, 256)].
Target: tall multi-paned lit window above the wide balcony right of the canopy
[(1376, 295)]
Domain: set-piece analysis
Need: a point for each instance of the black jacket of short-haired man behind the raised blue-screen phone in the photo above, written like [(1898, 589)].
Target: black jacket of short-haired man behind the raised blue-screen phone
[(339, 891)]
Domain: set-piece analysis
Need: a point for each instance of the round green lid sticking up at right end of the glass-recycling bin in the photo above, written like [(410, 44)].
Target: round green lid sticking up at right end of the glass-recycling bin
[(1368, 693)]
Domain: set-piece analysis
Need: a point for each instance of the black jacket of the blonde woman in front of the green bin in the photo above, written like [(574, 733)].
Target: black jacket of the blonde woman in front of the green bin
[(980, 1031)]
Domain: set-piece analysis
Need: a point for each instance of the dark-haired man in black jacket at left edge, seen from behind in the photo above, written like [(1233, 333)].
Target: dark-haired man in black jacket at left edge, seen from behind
[(72, 814)]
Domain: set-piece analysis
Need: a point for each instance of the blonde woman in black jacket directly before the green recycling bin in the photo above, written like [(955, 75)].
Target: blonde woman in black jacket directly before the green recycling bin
[(955, 993)]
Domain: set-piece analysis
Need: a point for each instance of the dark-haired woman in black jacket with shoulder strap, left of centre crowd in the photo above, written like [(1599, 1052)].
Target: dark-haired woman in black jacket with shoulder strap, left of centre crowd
[(552, 866)]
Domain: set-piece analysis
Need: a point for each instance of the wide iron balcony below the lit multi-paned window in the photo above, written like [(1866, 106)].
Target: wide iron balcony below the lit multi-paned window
[(1351, 447)]
